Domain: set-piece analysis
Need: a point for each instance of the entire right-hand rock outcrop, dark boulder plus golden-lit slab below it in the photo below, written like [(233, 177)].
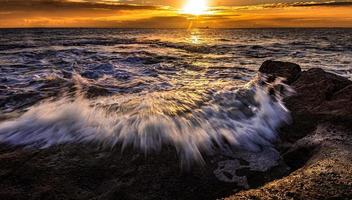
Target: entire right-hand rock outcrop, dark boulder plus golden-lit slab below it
[(317, 146)]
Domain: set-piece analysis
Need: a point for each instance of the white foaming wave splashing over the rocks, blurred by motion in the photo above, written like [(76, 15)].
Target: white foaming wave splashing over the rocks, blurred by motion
[(246, 118)]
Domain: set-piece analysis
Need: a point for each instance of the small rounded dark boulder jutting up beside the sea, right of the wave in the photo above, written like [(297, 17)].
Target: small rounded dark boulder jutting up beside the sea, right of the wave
[(287, 70)]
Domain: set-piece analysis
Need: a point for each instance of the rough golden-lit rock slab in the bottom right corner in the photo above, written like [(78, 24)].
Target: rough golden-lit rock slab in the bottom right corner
[(326, 174)]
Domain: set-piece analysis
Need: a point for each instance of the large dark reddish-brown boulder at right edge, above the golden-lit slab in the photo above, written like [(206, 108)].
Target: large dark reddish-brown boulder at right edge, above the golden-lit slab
[(319, 97)]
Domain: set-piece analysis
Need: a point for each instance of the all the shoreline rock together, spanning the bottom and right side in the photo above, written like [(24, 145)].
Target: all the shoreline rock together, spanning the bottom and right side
[(312, 159)]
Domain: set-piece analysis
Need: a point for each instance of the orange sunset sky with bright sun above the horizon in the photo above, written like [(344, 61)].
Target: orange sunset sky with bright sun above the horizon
[(175, 13)]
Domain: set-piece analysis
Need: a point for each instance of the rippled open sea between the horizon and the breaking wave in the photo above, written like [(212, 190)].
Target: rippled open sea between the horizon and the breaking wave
[(155, 58)]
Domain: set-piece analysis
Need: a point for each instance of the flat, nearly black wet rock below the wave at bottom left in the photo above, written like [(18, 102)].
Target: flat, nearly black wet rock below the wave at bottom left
[(87, 172)]
